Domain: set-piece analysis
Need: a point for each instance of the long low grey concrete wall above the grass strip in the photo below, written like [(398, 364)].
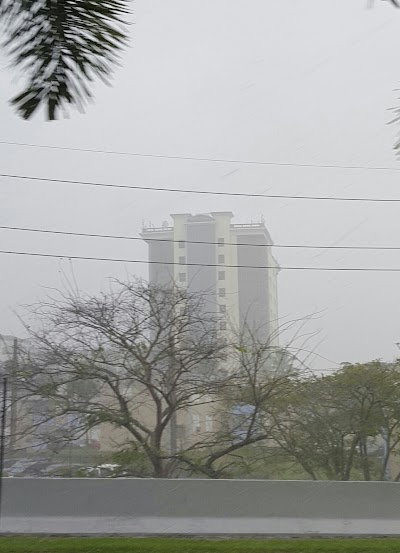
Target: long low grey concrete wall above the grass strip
[(149, 506)]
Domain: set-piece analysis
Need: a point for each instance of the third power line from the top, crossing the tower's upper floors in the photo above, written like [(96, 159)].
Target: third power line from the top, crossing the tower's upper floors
[(170, 240)]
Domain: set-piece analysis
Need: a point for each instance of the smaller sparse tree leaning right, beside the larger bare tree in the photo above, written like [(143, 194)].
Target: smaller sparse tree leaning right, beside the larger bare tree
[(259, 376)]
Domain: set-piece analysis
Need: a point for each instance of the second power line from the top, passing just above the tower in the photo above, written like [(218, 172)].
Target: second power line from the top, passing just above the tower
[(202, 192)]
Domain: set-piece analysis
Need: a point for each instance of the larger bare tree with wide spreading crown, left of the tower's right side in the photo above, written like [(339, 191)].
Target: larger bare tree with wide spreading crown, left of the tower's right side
[(132, 358)]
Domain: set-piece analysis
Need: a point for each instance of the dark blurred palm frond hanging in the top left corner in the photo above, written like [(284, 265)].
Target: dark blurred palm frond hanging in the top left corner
[(61, 45)]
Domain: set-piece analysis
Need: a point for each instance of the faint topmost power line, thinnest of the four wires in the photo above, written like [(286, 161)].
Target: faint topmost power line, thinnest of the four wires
[(201, 159)]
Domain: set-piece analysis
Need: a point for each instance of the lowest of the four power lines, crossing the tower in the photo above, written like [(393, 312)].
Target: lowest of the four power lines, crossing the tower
[(221, 266)]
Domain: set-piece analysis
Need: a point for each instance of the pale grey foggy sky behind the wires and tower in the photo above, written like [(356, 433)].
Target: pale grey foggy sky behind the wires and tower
[(302, 81)]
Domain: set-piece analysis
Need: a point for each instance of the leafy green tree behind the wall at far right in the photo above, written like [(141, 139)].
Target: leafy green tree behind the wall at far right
[(331, 425)]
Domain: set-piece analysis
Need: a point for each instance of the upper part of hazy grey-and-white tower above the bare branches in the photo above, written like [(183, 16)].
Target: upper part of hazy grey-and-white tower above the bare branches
[(208, 253)]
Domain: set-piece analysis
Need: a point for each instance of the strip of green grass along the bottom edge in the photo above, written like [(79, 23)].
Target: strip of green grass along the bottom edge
[(170, 545)]
